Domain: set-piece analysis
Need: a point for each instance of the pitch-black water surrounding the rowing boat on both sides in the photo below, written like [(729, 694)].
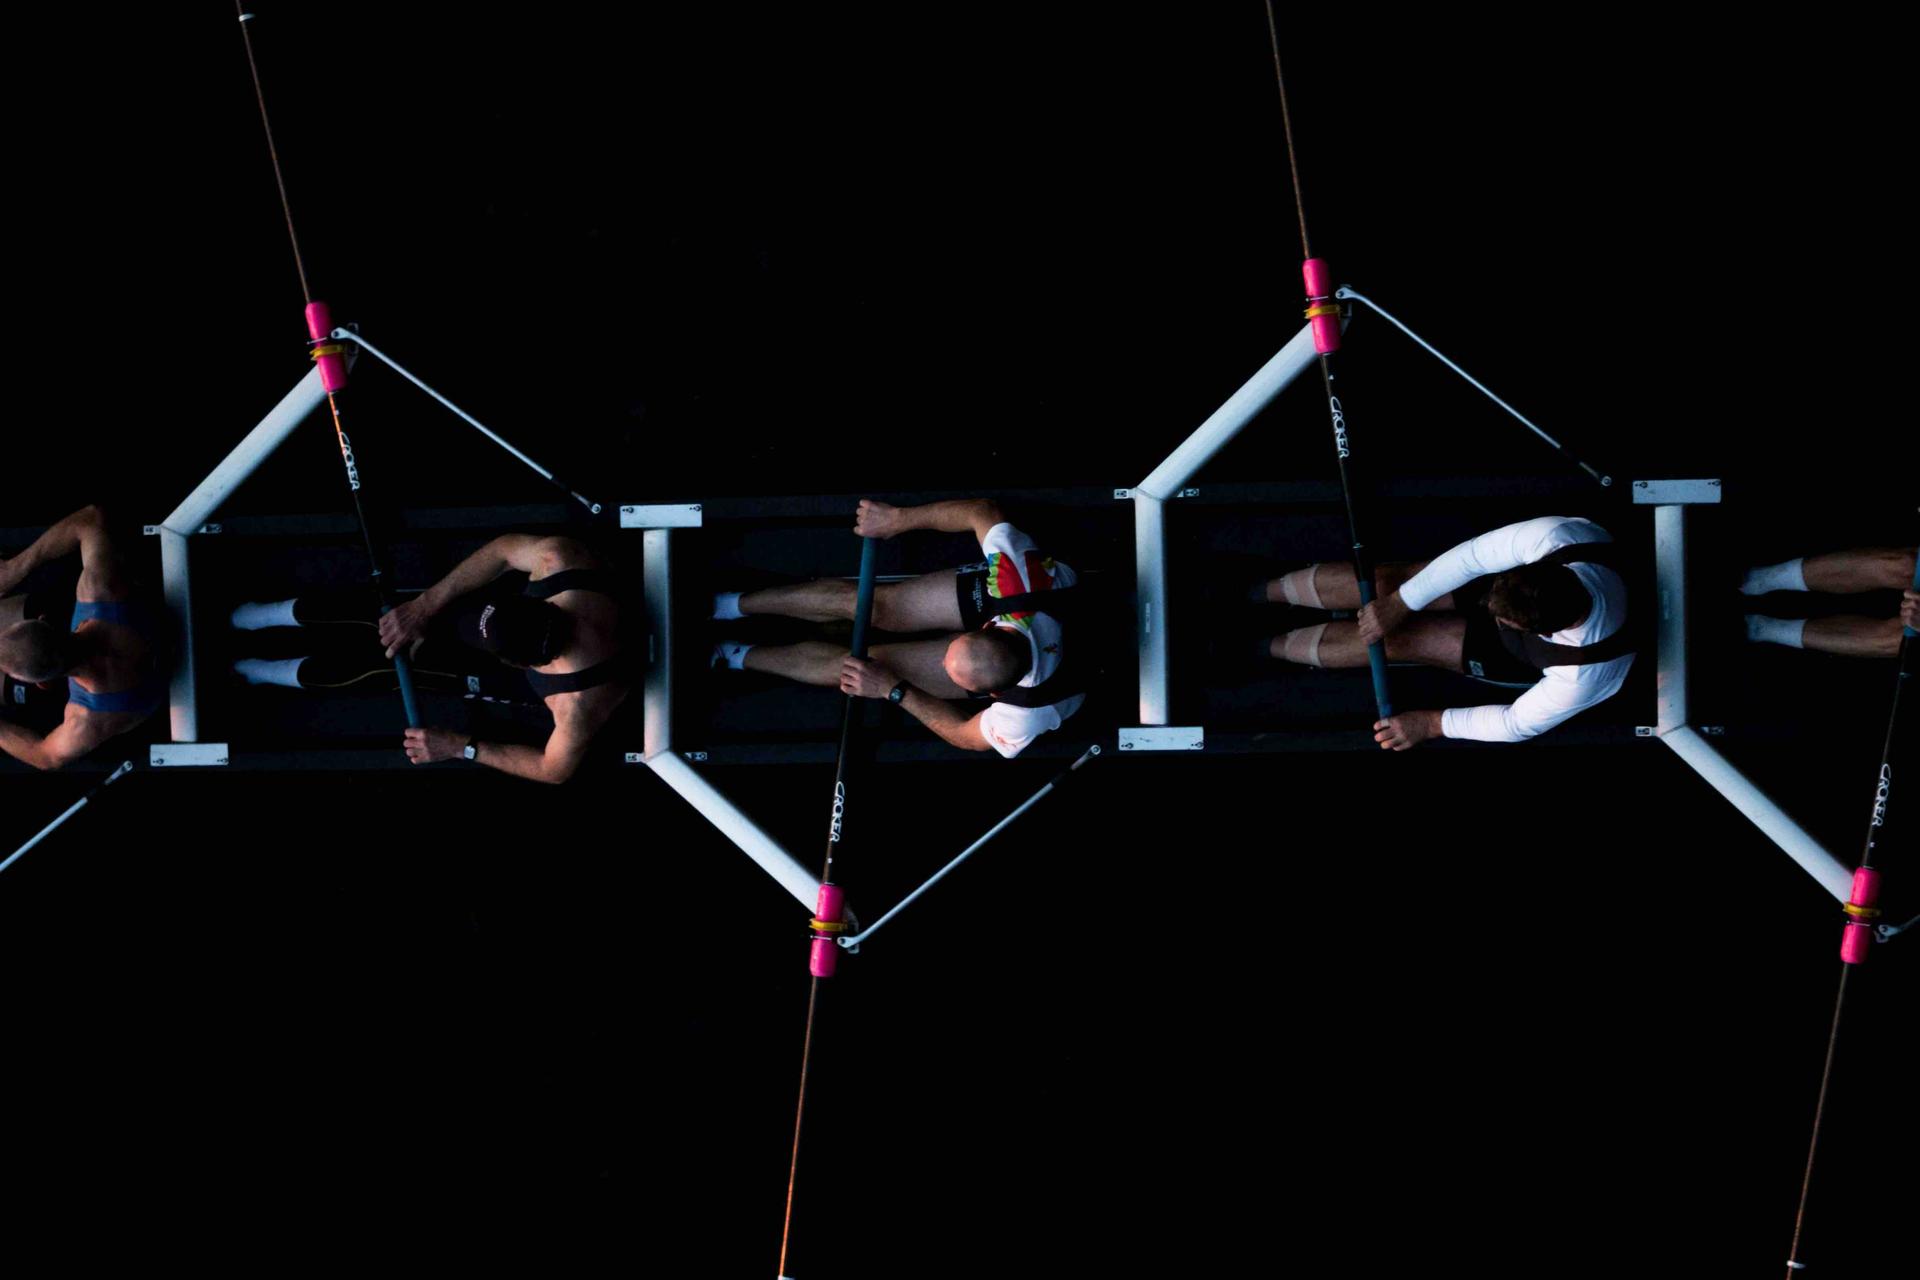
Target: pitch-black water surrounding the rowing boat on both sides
[(1529, 1012)]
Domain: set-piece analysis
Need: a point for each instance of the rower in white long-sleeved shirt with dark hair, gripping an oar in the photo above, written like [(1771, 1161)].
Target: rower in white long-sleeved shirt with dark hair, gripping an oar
[(1535, 604)]
